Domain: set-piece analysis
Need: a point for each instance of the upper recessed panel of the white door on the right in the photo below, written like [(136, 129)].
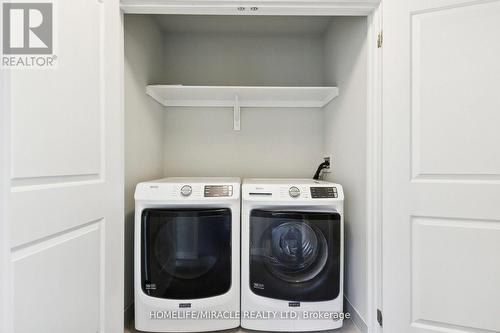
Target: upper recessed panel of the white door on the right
[(454, 84)]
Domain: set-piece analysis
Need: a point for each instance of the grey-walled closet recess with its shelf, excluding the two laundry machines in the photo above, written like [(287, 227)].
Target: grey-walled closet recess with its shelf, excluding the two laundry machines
[(252, 96)]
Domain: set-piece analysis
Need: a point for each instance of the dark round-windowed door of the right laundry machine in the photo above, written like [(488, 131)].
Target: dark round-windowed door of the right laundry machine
[(294, 255)]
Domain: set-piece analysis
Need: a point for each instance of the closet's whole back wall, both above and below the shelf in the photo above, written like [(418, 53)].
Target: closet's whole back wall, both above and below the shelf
[(272, 142)]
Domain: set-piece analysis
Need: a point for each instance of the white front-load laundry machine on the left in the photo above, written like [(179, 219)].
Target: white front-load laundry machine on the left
[(187, 254)]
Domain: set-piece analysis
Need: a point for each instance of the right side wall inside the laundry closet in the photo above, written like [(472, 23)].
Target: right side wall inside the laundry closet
[(345, 130)]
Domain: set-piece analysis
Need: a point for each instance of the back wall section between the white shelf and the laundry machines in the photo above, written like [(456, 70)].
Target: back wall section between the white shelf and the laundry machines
[(271, 143)]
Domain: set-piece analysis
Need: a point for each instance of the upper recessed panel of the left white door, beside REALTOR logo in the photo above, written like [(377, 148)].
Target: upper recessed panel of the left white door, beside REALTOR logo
[(71, 97)]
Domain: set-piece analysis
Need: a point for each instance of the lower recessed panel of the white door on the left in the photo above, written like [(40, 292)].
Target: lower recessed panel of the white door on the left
[(43, 301)]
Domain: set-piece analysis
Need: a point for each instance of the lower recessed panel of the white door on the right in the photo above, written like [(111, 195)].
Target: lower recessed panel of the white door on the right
[(452, 259)]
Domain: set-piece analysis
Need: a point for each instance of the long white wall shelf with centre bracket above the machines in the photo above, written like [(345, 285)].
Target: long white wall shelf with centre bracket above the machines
[(242, 96)]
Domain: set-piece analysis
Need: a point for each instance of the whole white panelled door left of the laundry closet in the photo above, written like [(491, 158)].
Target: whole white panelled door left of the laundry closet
[(65, 197)]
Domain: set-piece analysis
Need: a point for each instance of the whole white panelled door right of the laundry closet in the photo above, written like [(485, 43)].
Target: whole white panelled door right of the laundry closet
[(441, 227)]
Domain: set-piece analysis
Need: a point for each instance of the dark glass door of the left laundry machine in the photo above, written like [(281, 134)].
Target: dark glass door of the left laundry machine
[(186, 253)]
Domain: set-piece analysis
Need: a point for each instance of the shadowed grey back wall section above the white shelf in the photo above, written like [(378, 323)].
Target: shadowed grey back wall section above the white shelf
[(243, 59)]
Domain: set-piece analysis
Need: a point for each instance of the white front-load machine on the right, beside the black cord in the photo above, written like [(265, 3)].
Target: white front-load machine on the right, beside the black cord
[(292, 255)]
